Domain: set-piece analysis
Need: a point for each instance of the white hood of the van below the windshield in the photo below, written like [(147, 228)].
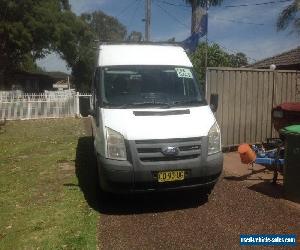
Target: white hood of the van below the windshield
[(195, 124)]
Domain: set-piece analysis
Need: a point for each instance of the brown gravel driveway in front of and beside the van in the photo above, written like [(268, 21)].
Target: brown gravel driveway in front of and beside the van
[(241, 203)]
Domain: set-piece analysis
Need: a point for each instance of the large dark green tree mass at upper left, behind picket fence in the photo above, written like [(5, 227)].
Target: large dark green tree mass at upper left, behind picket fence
[(31, 29)]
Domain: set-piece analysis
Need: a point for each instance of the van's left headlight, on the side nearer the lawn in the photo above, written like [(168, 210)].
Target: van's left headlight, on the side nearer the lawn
[(116, 148)]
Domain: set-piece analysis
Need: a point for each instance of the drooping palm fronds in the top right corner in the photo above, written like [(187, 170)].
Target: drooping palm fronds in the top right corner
[(290, 15)]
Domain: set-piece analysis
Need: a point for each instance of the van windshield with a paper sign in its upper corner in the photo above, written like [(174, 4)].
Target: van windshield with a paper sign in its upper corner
[(158, 86)]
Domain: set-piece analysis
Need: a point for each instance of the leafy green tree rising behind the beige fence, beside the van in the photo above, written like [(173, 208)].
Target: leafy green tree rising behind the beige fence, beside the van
[(216, 57)]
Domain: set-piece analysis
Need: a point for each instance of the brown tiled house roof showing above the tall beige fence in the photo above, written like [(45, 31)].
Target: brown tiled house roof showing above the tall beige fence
[(291, 57)]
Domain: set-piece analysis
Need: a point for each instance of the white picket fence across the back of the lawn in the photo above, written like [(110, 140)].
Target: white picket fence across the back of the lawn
[(51, 104)]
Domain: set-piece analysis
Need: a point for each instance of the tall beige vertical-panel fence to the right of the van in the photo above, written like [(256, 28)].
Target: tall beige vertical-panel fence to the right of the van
[(246, 98)]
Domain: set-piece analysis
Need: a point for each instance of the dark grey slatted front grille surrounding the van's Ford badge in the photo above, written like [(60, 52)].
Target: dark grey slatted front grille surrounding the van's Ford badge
[(152, 150)]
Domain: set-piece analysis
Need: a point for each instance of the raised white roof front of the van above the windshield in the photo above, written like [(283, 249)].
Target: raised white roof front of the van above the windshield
[(117, 54)]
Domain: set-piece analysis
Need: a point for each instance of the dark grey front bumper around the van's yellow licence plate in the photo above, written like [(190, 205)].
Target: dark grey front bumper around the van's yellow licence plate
[(129, 177)]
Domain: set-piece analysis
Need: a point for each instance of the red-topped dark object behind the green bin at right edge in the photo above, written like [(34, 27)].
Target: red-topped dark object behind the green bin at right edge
[(290, 115)]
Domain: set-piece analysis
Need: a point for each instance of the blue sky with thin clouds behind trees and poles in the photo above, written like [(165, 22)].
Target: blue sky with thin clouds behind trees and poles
[(249, 29)]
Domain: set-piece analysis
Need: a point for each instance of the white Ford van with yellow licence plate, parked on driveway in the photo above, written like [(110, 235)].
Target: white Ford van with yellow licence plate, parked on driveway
[(152, 127)]
